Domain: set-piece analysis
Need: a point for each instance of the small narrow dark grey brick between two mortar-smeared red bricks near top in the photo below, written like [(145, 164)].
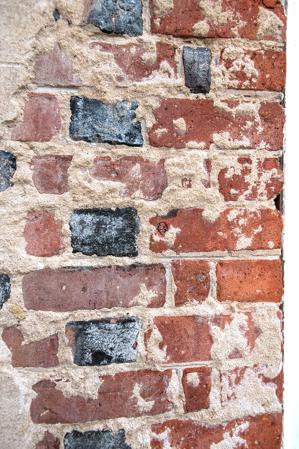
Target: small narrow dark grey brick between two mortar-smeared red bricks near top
[(197, 62)]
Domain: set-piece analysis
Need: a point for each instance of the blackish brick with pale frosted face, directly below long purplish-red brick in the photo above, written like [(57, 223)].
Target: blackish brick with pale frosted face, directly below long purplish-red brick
[(102, 342)]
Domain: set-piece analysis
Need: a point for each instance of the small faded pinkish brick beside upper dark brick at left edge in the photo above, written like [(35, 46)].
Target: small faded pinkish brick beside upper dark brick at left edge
[(50, 173)]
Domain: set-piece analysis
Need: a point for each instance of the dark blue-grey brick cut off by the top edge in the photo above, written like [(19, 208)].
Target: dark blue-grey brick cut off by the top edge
[(117, 16)]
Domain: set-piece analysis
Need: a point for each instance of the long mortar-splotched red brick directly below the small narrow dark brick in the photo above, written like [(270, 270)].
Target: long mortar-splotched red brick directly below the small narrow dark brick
[(230, 124)]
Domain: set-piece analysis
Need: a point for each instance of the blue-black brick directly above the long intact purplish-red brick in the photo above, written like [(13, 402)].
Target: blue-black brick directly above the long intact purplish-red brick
[(105, 232)]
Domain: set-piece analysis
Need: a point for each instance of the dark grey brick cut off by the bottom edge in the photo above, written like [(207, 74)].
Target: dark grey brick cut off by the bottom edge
[(97, 439)]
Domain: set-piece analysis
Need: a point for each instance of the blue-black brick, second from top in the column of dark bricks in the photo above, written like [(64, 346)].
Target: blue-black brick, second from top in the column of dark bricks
[(95, 121)]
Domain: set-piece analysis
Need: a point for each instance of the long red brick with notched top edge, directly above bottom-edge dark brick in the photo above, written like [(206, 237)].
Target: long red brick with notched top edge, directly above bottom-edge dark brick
[(127, 394)]
